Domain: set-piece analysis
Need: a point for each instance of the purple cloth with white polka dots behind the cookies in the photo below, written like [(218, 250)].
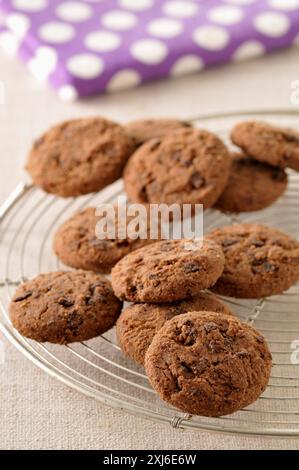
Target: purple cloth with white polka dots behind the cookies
[(91, 46)]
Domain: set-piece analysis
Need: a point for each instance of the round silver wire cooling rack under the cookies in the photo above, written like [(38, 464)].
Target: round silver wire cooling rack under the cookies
[(28, 220)]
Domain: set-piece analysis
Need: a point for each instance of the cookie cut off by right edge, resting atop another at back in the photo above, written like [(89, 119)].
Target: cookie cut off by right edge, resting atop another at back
[(275, 145)]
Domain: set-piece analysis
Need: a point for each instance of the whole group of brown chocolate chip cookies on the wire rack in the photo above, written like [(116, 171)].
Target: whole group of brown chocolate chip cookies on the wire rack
[(198, 356)]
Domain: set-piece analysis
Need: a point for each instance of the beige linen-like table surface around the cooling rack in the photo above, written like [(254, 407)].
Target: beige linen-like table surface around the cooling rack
[(36, 411)]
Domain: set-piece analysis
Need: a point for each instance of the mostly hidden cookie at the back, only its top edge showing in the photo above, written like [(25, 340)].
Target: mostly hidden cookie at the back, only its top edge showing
[(145, 129)]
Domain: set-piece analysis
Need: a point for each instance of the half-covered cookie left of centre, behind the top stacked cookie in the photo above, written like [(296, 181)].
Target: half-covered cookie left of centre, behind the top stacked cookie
[(77, 245)]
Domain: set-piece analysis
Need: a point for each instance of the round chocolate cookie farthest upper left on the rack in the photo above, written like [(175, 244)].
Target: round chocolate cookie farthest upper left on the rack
[(79, 156)]
